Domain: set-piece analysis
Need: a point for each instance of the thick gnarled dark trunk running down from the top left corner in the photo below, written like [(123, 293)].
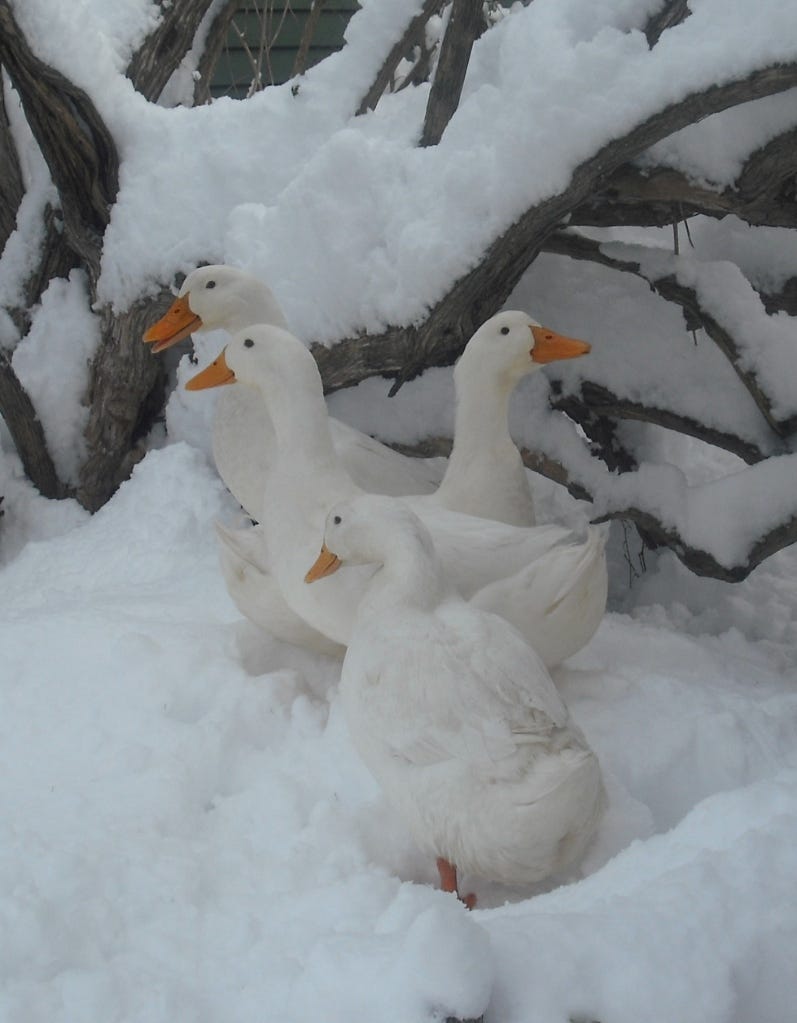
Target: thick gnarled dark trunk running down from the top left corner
[(126, 384)]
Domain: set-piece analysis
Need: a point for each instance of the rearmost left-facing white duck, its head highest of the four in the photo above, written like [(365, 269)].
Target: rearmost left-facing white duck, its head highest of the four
[(220, 297)]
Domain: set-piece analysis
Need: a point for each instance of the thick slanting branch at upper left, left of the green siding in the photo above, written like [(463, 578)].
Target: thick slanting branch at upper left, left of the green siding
[(161, 54)]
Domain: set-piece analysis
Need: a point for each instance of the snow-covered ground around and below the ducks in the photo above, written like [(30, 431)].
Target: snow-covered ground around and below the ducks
[(189, 835)]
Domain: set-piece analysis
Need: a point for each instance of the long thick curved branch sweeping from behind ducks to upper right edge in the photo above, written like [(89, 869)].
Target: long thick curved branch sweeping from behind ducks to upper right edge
[(404, 352)]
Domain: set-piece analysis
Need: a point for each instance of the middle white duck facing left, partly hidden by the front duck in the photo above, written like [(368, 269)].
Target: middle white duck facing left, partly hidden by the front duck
[(547, 580)]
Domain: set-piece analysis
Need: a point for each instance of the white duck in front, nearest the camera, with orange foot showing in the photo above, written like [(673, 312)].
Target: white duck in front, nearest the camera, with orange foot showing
[(454, 714)]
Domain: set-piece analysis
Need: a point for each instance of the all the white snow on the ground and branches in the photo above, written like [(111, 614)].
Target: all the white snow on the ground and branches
[(187, 831)]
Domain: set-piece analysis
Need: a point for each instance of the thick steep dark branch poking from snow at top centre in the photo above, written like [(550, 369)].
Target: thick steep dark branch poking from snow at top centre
[(465, 26)]
